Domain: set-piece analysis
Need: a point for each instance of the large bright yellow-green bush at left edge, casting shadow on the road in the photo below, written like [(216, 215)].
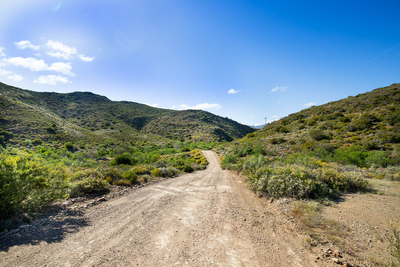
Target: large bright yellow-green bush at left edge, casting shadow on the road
[(29, 182)]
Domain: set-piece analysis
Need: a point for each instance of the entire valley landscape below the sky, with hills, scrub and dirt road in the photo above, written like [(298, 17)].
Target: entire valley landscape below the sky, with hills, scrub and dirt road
[(317, 188)]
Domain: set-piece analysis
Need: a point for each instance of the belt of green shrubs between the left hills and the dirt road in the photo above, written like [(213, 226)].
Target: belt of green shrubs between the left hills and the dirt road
[(36, 173)]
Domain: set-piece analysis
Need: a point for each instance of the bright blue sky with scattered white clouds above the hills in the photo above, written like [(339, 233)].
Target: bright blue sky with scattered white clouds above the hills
[(245, 60)]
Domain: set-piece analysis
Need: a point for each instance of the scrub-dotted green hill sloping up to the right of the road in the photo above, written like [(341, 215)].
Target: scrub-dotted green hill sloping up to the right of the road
[(337, 131)]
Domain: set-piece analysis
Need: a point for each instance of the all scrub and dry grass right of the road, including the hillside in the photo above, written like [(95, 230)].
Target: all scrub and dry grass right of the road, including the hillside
[(314, 156)]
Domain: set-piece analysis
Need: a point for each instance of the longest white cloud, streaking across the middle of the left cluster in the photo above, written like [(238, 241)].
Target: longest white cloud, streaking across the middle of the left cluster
[(39, 65)]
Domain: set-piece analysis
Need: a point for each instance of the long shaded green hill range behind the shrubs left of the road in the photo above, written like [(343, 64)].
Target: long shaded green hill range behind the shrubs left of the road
[(84, 115)]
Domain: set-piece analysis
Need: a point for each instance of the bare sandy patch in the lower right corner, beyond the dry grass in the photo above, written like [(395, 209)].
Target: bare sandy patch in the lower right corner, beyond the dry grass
[(364, 215)]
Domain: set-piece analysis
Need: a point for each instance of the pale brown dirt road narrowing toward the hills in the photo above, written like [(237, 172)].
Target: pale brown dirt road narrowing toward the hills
[(207, 218)]
